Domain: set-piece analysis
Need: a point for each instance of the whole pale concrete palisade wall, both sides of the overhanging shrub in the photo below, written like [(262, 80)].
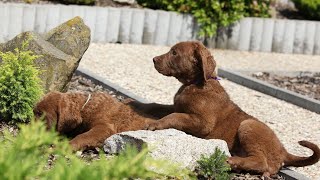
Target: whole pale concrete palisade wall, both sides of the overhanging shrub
[(144, 26)]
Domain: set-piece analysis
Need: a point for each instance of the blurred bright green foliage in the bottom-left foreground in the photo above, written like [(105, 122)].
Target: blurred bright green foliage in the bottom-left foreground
[(26, 157)]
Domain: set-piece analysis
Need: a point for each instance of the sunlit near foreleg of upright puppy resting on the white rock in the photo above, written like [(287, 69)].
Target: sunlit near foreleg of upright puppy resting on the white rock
[(180, 121)]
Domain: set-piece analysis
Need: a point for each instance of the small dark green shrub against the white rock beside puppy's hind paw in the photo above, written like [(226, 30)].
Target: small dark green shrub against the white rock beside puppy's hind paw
[(214, 166)]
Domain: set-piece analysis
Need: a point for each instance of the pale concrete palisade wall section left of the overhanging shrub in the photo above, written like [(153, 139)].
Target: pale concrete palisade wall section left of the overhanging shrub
[(126, 25)]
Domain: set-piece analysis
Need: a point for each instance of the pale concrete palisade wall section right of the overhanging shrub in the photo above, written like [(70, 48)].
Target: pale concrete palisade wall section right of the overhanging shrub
[(271, 35)]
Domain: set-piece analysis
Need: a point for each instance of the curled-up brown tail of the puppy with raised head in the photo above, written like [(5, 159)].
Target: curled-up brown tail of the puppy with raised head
[(297, 161)]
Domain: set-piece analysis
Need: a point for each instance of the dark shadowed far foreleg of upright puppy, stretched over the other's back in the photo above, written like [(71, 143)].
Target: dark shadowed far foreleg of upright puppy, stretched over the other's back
[(152, 109)]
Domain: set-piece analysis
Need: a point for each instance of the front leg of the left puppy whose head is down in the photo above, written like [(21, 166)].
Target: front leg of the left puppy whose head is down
[(92, 138)]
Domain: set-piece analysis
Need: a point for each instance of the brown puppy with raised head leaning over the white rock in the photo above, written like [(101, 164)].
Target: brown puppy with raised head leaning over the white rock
[(203, 108)]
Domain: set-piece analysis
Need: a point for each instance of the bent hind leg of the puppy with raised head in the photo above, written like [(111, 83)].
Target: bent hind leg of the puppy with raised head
[(261, 146)]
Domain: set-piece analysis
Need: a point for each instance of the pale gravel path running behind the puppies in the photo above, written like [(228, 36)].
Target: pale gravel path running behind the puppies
[(131, 67)]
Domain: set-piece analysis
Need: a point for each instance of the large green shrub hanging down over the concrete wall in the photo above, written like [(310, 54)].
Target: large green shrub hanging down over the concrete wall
[(210, 14)]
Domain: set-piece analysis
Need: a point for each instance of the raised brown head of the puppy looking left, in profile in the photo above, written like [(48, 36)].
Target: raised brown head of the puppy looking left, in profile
[(189, 62)]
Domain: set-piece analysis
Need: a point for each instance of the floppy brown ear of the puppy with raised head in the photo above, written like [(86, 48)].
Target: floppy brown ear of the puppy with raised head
[(204, 57)]
